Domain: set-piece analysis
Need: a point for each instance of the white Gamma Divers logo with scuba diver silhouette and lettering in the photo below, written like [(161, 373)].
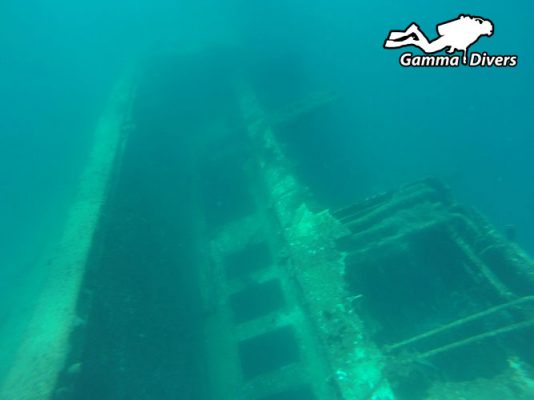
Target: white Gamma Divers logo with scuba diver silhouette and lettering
[(455, 35)]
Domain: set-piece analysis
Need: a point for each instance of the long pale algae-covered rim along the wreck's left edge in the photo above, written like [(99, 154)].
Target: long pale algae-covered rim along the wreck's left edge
[(44, 346)]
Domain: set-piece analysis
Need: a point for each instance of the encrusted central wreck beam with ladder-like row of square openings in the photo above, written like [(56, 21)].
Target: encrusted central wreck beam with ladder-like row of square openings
[(275, 283)]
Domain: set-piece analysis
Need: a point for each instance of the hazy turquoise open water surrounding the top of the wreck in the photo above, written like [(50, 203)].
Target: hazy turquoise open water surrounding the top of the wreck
[(471, 127)]
